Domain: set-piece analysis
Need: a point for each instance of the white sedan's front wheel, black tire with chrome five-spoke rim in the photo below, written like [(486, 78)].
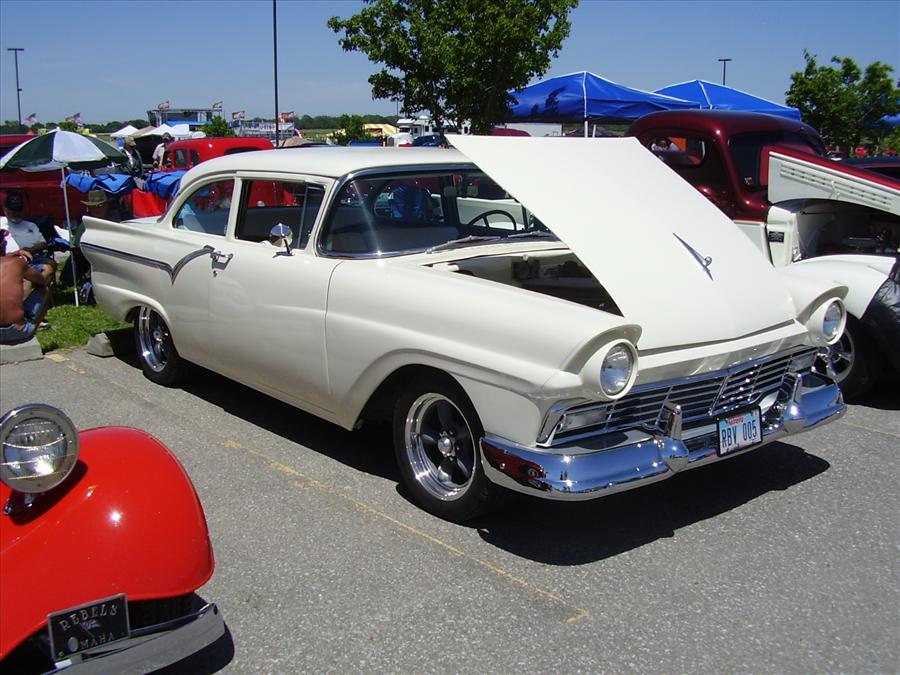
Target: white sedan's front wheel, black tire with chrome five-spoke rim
[(436, 438)]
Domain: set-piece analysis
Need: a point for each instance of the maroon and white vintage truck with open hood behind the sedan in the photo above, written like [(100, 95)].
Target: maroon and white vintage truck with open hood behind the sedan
[(770, 175)]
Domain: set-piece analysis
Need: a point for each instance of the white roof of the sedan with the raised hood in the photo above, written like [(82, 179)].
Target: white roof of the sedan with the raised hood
[(330, 162)]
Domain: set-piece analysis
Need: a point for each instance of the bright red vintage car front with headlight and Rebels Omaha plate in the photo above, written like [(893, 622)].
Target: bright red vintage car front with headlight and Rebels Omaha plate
[(103, 543)]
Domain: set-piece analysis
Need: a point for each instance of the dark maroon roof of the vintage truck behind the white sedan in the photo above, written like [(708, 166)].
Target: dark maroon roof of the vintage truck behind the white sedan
[(725, 122)]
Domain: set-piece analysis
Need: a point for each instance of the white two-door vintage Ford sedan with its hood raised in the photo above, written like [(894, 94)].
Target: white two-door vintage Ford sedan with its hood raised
[(561, 317)]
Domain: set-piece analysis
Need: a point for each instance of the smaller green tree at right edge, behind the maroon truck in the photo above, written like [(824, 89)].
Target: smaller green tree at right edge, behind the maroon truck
[(842, 102)]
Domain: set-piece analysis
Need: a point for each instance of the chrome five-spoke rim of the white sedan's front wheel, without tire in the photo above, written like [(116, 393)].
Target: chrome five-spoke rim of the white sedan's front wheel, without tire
[(439, 446)]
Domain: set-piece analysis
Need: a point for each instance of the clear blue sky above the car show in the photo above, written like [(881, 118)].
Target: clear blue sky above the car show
[(114, 60)]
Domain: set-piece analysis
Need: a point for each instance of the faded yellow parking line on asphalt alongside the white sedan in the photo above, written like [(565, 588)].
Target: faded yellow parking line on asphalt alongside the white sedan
[(577, 613)]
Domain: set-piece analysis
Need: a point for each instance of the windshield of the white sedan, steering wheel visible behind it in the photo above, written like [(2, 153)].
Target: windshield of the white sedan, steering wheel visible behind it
[(423, 211)]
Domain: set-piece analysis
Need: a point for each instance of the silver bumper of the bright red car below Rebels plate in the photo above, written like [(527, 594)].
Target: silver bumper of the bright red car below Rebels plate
[(156, 646)]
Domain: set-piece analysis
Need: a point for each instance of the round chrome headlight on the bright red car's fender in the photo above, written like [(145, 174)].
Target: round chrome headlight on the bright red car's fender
[(38, 448)]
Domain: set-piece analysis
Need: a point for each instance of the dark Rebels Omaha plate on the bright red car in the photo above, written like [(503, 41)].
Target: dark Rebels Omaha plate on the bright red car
[(88, 626)]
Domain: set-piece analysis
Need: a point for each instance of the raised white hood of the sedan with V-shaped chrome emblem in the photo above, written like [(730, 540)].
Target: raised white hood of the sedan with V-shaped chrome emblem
[(671, 260)]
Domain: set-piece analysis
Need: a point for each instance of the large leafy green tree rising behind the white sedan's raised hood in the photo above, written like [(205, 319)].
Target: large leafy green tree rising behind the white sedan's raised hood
[(457, 59)]
